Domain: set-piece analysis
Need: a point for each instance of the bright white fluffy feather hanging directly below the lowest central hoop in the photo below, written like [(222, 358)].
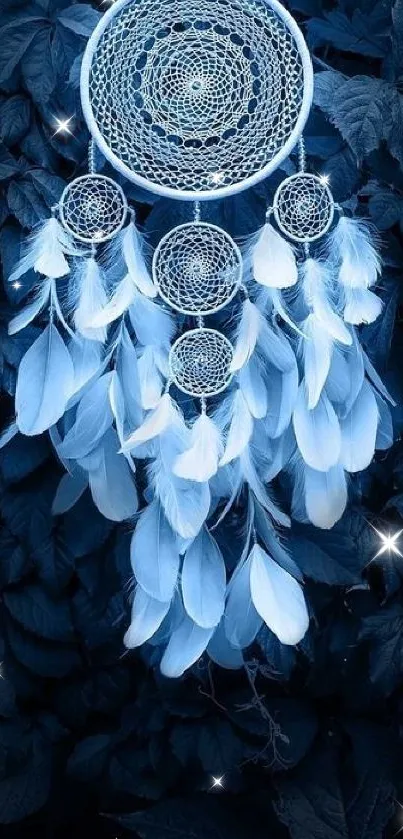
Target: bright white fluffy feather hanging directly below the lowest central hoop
[(200, 461)]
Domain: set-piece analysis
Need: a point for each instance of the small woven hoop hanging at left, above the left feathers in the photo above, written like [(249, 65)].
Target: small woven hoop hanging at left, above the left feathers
[(93, 208)]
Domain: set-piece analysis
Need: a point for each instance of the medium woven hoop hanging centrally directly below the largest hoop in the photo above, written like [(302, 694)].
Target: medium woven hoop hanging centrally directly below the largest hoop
[(197, 268)]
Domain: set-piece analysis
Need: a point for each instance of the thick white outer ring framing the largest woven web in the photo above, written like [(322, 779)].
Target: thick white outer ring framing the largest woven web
[(219, 192)]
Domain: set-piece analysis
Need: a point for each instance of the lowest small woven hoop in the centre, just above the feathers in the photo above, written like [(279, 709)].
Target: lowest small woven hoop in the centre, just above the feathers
[(200, 361)]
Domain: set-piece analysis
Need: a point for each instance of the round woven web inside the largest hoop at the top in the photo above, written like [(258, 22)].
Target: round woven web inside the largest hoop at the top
[(196, 96)]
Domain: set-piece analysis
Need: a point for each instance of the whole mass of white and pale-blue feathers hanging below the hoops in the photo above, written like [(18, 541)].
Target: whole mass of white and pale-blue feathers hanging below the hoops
[(304, 399)]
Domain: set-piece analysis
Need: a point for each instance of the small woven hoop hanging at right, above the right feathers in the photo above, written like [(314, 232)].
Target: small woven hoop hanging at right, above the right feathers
[(303, 207)]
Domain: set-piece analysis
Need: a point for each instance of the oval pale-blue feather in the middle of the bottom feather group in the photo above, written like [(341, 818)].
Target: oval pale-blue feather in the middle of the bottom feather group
[(203, 581)]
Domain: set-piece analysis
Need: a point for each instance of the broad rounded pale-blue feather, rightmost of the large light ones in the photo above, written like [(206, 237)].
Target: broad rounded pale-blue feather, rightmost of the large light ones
[(358, 431)]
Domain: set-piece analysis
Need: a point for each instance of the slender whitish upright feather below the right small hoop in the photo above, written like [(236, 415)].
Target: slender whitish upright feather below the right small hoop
[(317, 352)]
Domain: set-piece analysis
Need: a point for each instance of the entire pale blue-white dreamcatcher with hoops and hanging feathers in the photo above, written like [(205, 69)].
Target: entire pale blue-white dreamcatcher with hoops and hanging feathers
[(199, 102)]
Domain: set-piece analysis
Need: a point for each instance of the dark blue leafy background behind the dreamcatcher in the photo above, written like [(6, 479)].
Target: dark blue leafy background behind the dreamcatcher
[(91, 739)]
